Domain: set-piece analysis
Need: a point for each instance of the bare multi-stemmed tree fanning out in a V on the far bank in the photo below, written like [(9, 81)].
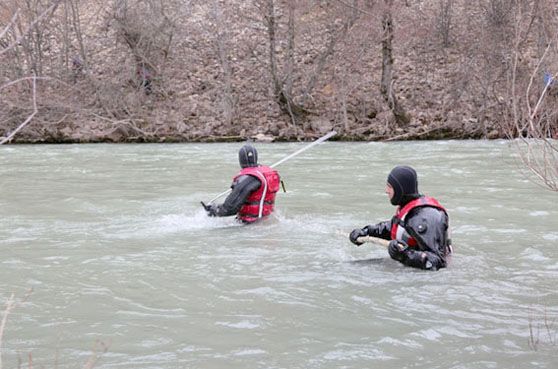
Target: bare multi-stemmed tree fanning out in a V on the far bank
[(293, 83)]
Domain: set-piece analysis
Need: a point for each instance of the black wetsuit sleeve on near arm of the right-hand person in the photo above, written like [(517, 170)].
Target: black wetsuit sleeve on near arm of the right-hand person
[(430, 227)]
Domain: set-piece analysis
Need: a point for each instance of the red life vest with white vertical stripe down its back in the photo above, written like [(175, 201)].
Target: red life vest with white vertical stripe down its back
[(261, 202)]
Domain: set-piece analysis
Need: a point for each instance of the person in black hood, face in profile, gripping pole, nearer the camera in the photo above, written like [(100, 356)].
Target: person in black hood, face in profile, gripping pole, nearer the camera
[(419, 229)]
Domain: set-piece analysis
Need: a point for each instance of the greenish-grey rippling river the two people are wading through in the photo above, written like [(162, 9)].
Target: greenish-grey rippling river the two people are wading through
[(107, 247)]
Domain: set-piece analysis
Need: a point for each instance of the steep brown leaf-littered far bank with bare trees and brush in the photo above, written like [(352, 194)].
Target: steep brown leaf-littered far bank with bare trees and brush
[(170, 70)]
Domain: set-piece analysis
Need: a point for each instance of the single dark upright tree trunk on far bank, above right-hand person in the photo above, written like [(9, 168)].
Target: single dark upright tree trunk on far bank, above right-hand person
[(386, 87)]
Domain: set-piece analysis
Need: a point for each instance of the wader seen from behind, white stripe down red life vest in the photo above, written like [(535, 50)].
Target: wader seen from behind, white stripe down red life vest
[(253, 190)]
